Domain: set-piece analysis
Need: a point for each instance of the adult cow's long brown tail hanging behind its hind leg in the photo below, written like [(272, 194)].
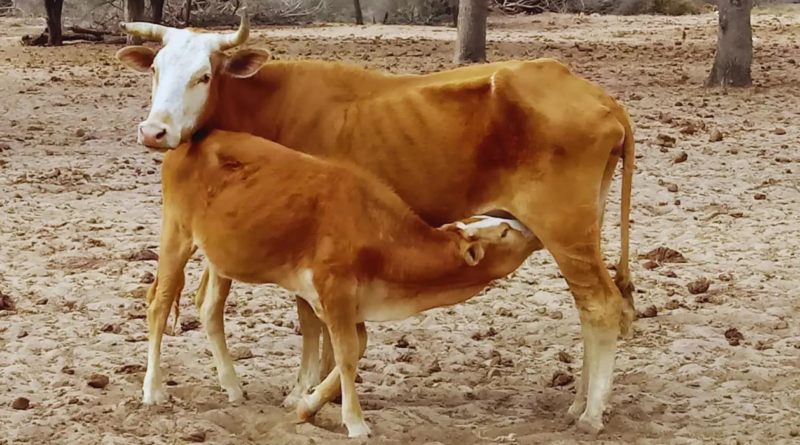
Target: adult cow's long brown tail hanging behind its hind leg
[(623, 276)]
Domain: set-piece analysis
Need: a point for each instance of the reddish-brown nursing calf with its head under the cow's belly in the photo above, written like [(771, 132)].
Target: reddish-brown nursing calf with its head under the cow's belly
[(342, 240)]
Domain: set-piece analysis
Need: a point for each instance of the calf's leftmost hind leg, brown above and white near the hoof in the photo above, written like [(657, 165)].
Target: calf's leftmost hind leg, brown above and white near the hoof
[(174, 252)]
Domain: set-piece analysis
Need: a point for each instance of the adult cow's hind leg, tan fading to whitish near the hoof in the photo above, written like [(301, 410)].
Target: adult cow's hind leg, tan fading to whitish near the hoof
[(570, 231)]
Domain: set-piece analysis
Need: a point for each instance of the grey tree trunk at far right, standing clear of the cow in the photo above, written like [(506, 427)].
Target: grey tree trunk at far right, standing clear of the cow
[(734, 45)]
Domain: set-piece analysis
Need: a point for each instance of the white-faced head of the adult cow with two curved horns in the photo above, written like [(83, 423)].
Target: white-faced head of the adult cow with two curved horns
[(186, 73)]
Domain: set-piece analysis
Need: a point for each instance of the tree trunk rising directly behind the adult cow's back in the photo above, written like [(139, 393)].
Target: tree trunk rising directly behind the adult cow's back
[(471, 40)]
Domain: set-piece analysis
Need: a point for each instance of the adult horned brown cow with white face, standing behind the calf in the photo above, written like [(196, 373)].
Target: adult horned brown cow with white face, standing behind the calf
[(527, 138)]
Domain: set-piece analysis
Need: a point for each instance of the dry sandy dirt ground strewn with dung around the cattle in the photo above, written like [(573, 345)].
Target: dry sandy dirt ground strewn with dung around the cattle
[(79, 198)]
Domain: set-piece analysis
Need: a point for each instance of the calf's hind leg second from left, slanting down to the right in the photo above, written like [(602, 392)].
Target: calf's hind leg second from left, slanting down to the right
[(210, 303)]
